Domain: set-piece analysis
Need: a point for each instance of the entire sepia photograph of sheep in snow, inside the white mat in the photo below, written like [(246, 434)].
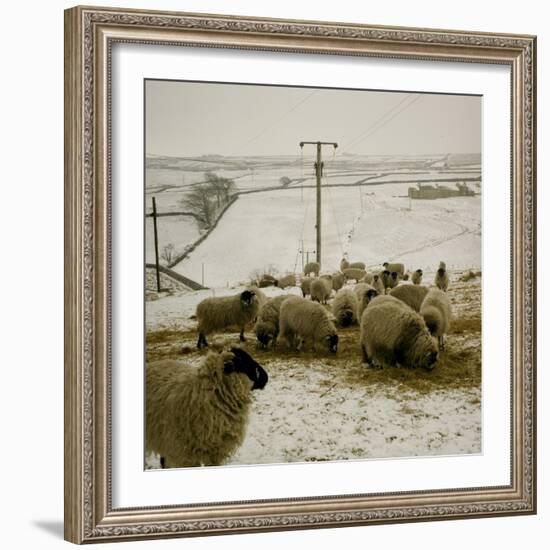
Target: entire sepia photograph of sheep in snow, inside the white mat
[(313, 266)]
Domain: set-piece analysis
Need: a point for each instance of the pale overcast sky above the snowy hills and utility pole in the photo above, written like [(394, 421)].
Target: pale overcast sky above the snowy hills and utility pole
[(190, 119)]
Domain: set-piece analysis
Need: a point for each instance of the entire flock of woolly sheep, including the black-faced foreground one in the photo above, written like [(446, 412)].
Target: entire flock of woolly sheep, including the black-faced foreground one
[(198, 416)]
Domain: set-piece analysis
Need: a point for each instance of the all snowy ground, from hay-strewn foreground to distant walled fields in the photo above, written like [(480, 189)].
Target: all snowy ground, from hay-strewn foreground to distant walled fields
[(315, 406)]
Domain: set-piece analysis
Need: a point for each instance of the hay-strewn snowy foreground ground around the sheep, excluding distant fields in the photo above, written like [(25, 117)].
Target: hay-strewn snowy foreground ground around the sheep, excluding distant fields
[(318, 406)]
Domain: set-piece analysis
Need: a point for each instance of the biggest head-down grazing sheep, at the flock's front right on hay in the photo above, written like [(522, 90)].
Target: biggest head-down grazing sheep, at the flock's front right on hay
[(392, 333)]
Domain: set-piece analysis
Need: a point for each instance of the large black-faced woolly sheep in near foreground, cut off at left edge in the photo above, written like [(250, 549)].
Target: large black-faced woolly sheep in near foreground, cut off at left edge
[(198, 416)]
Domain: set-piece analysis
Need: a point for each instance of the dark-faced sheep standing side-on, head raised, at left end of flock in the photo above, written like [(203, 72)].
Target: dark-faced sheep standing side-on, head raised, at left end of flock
[(218, 313)]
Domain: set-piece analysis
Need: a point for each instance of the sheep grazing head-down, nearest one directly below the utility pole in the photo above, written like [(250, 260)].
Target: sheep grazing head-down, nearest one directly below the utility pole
[(301, 320)]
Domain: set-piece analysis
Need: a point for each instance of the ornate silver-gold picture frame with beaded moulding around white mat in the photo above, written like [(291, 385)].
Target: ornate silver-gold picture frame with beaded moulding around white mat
[(90, 34)]
